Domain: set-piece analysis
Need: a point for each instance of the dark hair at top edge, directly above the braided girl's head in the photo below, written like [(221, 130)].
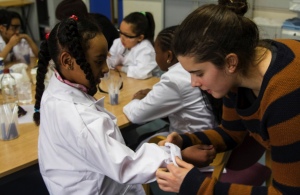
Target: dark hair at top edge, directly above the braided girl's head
[(66, 8)]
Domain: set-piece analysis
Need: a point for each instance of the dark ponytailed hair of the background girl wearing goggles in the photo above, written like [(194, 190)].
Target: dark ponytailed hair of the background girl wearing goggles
[(143, 23)]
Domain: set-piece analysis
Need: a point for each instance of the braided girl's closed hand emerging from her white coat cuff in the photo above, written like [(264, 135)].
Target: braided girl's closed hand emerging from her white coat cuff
[(199, 155)]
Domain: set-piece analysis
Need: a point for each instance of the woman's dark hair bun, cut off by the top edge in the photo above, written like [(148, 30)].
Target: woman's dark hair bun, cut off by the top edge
[(240, 7)]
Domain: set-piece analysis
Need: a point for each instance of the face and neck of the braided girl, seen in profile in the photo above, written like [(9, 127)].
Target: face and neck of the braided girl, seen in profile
[(96, 57)]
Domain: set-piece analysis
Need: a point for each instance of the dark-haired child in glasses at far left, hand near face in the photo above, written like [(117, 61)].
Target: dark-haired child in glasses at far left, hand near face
[(10, 37)]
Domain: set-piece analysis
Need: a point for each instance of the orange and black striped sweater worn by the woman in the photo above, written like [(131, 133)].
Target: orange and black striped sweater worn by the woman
[(272, 118)]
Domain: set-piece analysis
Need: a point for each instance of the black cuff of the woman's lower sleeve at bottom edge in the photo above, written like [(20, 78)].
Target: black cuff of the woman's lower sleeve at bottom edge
[(192, 182)]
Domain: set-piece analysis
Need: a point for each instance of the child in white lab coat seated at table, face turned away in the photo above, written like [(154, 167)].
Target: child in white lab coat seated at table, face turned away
[(173, 96)]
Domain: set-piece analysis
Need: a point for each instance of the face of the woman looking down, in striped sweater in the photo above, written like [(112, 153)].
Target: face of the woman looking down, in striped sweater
[(208, 77)]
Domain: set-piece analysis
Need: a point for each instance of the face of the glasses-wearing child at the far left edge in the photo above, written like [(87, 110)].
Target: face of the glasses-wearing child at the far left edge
[(14, 28)]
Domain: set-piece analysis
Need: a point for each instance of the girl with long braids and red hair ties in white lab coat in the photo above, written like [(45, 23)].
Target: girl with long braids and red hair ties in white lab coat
[(80, 147)]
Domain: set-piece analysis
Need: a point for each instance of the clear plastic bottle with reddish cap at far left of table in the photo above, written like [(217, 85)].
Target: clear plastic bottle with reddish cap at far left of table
[(9, 87)]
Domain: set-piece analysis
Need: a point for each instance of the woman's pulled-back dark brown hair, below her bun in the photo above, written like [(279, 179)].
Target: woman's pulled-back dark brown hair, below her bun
[(212, 31)]
